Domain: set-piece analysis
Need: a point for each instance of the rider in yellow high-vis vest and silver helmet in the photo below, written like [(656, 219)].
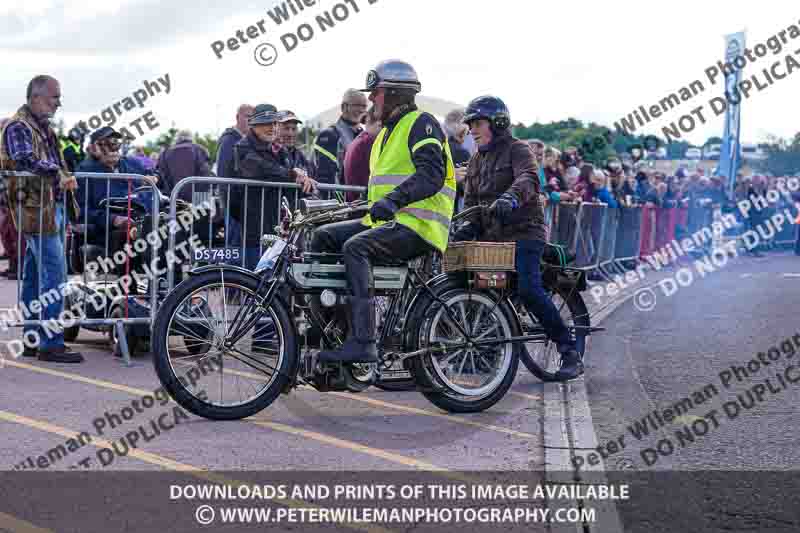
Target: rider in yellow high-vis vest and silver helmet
[(411, 192)]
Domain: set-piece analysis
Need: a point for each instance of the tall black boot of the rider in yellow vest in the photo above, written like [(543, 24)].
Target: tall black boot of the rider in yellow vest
[(360, 344)]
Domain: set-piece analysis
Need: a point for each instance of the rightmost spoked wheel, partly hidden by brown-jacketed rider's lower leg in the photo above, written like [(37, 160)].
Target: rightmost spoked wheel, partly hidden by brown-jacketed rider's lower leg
[(542, 357)]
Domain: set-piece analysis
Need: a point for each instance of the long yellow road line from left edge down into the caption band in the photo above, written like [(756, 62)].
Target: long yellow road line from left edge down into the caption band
[(152, 459)]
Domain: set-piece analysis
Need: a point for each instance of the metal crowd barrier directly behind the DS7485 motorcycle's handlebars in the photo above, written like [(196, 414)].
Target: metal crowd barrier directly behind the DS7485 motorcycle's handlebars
[(238, 198)]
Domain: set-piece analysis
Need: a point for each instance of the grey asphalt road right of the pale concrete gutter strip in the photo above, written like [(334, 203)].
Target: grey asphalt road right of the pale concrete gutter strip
[(684, 347)]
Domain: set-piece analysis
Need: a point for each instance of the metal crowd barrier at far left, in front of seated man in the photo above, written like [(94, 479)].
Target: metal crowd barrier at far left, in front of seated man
[(77, 239)]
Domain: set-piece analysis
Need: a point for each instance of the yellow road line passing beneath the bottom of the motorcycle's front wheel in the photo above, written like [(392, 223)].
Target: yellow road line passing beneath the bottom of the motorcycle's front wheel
[(282, 428)]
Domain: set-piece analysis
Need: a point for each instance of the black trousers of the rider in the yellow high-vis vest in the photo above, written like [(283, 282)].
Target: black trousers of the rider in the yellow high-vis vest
[(390, 244)]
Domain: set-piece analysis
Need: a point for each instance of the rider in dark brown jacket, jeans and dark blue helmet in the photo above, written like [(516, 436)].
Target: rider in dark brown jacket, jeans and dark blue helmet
[(504, 174)]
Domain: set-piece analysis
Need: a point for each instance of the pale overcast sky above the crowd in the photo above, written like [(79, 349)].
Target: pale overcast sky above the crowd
[(595, 61)]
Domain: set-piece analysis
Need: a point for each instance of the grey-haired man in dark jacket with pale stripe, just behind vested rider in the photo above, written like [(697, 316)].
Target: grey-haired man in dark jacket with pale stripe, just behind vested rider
[(332, 143)]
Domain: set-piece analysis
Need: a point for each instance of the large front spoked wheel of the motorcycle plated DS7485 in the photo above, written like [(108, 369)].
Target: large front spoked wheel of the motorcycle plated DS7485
[(212, 353)]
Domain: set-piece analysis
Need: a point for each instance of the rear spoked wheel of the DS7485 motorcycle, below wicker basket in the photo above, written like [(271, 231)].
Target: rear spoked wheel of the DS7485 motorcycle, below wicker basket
[(472, 379)]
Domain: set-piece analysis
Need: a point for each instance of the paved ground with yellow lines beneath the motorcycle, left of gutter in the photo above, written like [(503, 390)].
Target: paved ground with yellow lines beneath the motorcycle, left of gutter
[(44, 405)]
